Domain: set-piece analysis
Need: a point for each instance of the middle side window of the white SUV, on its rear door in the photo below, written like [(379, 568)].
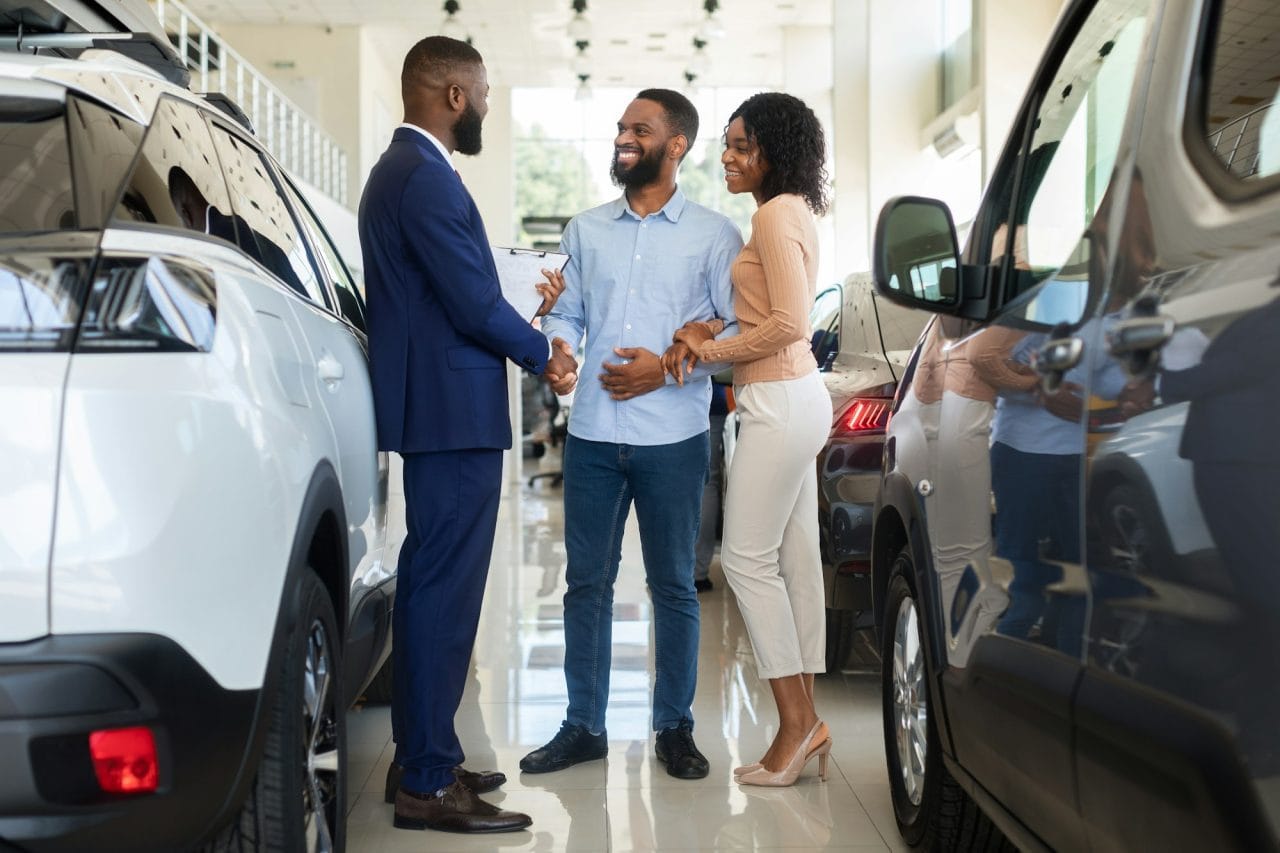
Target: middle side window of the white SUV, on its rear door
[(262, 218)]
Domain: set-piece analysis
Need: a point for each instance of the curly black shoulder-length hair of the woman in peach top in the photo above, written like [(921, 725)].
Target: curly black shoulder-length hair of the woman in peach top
[(792, 140)]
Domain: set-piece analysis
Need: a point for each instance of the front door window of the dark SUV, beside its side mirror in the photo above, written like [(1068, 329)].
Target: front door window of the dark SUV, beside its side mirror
[(1068, 167)]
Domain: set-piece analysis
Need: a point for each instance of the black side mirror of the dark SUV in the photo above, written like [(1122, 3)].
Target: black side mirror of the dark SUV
[(917, 256)]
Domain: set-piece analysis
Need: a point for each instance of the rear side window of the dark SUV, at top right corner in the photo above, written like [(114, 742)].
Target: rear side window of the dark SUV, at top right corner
[(1242, 121)]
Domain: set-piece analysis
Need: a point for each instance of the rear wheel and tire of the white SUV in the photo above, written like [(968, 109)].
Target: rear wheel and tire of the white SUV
[(299, 797)]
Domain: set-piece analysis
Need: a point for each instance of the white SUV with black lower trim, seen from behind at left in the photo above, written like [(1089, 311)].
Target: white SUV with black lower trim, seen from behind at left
[(196, 574)]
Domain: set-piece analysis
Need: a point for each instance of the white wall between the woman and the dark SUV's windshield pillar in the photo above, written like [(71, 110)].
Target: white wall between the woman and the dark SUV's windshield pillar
[(886, 94)]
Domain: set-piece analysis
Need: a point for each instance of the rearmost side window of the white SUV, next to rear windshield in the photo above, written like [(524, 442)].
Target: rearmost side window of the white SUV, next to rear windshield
[(176, 181)]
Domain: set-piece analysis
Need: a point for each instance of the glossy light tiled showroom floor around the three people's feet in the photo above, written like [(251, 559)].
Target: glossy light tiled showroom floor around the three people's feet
[(516, 701)]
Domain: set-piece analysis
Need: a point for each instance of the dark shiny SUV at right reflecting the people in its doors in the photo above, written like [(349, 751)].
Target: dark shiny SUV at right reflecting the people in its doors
[(1078, 624)]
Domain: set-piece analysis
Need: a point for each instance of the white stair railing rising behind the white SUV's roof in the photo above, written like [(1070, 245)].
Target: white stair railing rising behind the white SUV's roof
[(289, 134)]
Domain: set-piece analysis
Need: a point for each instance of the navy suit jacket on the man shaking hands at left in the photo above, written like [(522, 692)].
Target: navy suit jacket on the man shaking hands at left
[(440, 330)]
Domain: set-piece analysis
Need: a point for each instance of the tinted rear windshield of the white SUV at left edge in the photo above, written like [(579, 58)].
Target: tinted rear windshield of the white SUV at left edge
[(36, 193)]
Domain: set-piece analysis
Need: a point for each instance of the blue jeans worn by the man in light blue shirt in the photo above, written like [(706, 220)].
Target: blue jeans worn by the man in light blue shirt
[(601, 482)]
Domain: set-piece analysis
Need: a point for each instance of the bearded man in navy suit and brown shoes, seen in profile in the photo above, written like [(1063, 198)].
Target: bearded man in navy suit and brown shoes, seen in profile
[(440, 335)]
